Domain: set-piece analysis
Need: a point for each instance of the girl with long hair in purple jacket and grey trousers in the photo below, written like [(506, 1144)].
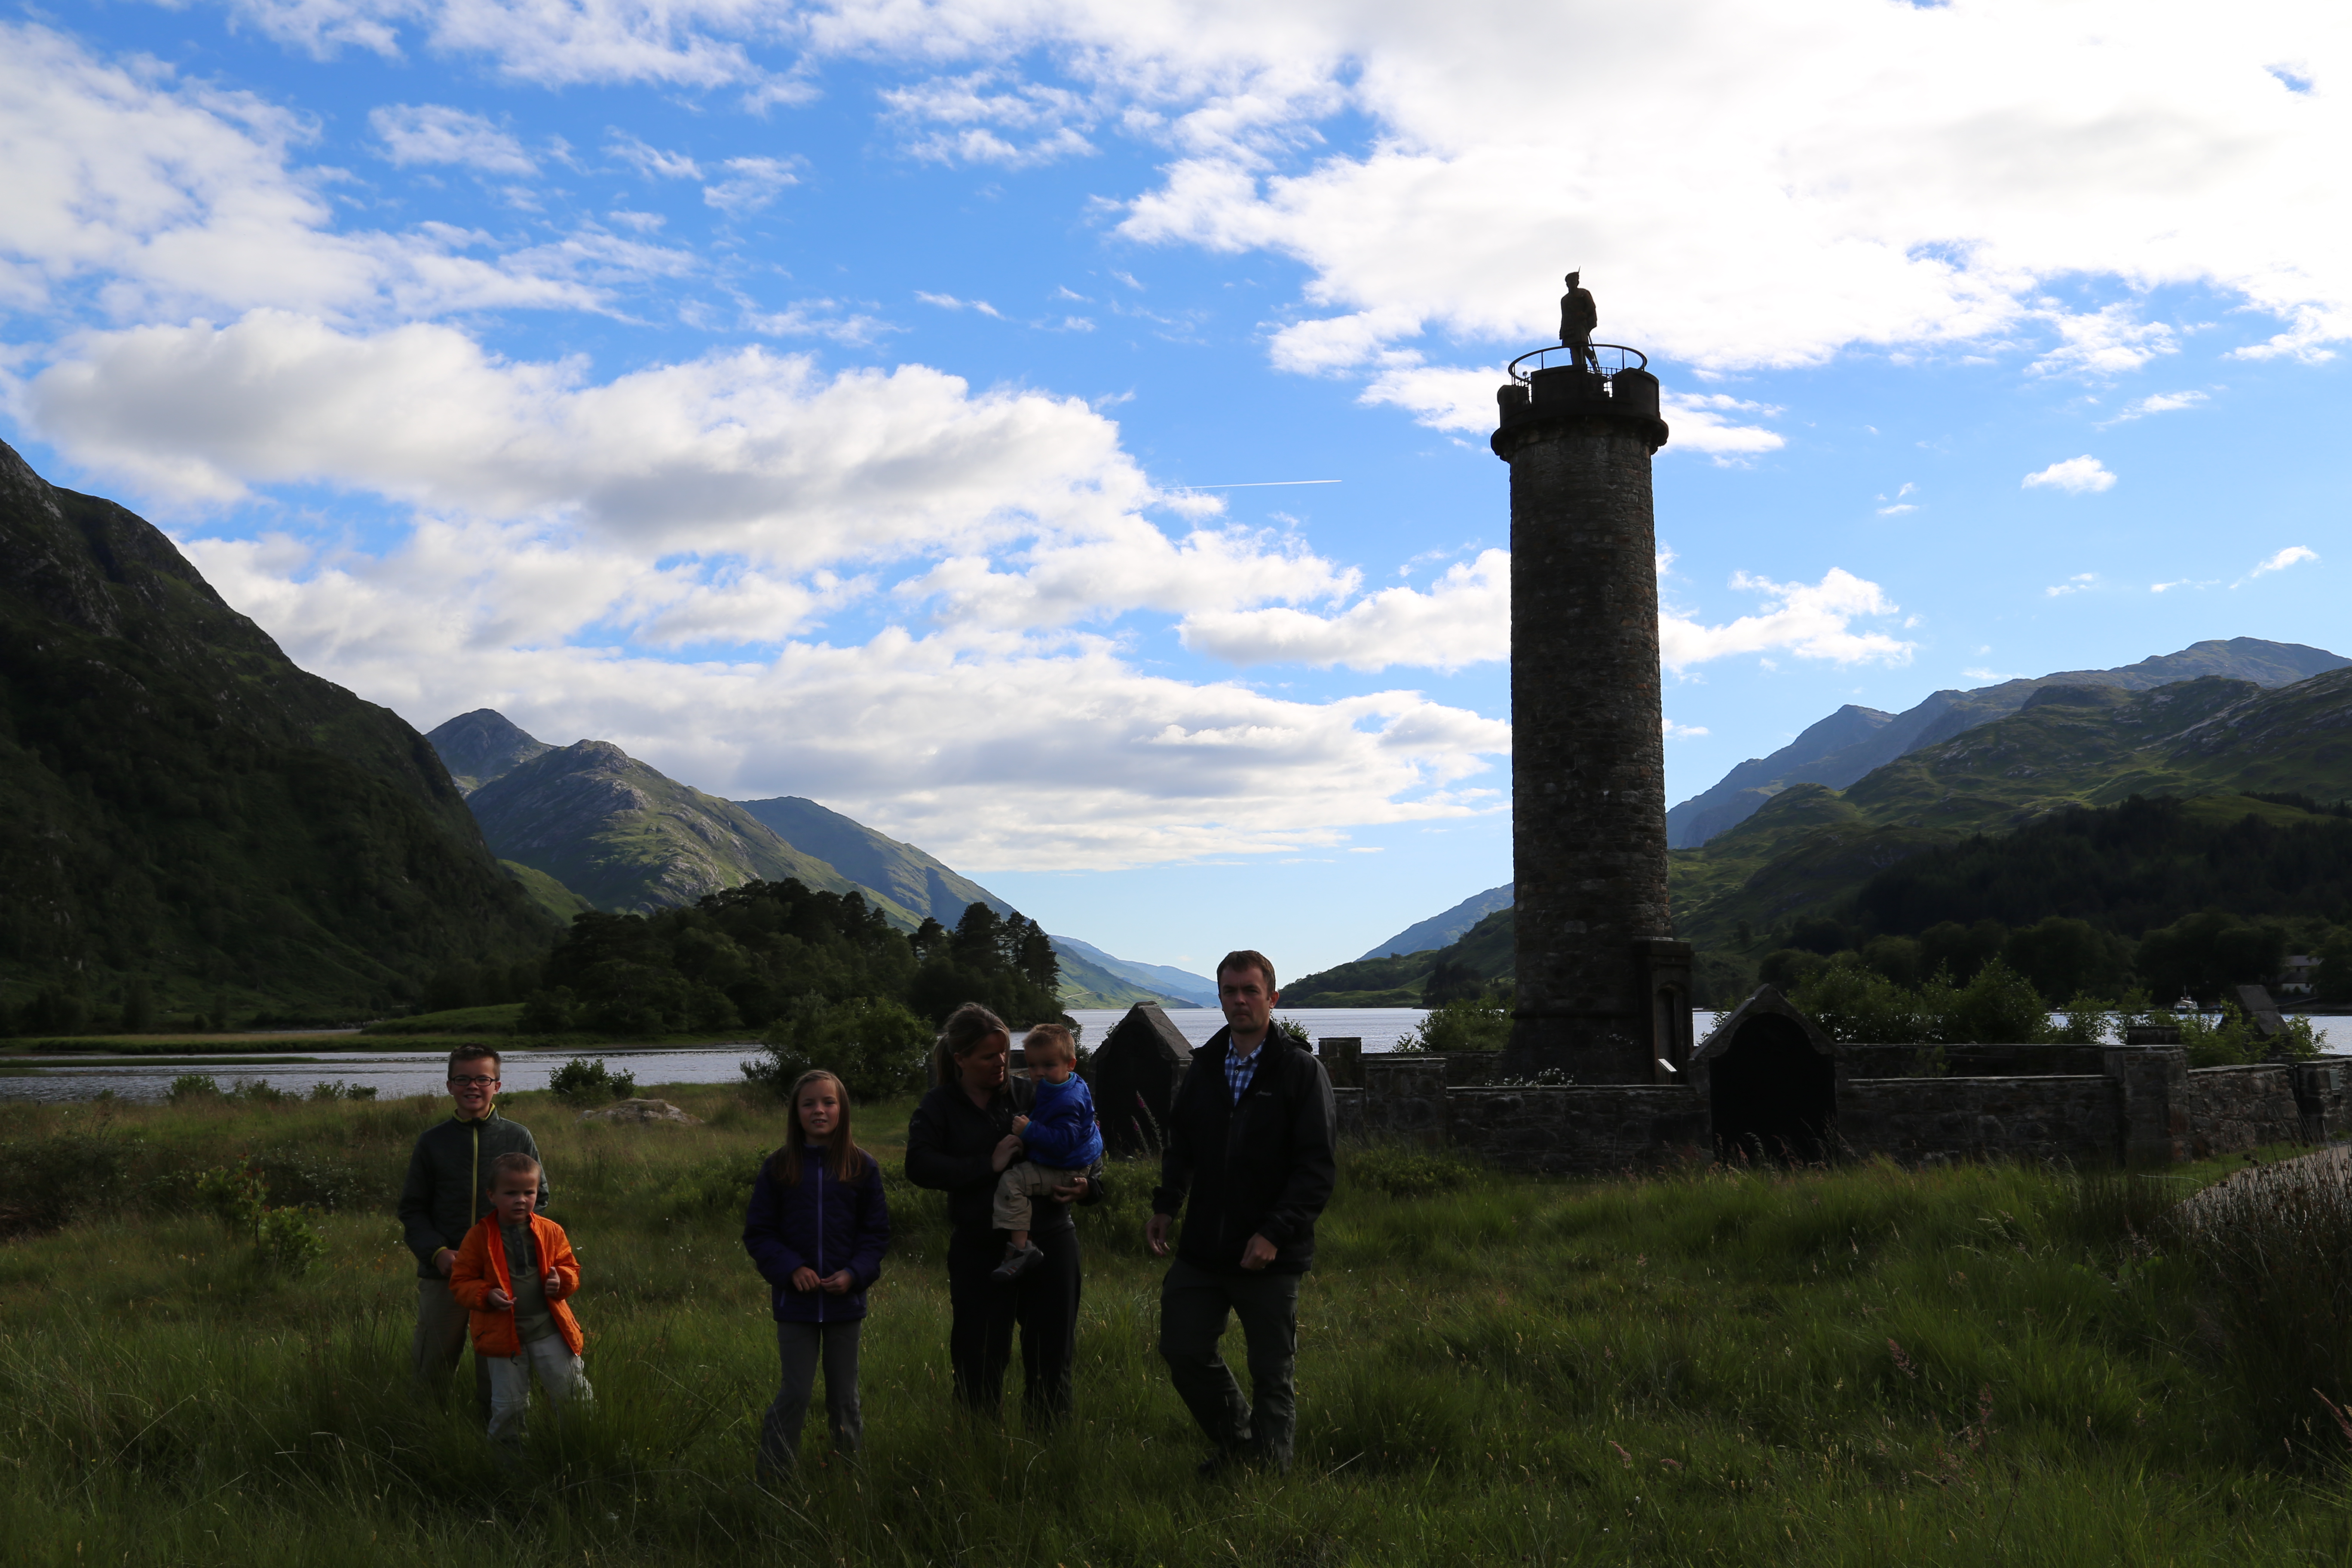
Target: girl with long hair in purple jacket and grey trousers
[(817, 1231)]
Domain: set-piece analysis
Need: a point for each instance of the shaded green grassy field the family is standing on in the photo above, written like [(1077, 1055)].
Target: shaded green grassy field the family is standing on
[(1852, 1367)]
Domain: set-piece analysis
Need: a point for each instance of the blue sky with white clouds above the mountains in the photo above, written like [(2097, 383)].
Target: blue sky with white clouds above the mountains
[(1055, 431)]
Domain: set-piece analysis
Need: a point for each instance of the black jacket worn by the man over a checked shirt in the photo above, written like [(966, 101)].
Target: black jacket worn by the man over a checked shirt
[(1259, 1167)]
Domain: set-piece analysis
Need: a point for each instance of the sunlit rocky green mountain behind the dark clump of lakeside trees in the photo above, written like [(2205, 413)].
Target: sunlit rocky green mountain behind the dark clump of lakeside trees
[(627, 838)]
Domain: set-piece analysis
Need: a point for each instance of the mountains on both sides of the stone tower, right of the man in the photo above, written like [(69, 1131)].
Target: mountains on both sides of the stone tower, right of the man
[(1958, 765)]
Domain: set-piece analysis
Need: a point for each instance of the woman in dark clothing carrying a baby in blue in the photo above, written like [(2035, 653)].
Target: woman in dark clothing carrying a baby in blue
[(968, 1130)]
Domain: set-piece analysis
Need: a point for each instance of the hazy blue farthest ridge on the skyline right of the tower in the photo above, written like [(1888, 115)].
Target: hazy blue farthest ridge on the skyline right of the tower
[(1852, 742)]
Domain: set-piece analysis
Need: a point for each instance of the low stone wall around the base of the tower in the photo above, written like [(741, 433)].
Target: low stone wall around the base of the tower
[(2146, 1106)]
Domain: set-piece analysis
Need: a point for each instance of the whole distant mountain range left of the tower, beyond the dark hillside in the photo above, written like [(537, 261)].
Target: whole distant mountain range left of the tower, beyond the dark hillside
[(592, 826)]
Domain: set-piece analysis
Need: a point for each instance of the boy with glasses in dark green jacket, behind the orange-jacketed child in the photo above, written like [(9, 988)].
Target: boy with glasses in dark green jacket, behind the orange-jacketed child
[(443, 1198)]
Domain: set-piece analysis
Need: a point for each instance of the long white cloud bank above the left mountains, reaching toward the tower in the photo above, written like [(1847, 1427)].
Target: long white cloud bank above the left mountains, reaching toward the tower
[(998, 753)]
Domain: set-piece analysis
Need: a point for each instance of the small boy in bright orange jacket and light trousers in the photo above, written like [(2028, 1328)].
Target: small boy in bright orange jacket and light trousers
[(516, 1273)]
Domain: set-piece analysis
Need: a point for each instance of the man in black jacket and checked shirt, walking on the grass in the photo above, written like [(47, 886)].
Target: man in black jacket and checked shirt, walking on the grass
[(1250, 1167)]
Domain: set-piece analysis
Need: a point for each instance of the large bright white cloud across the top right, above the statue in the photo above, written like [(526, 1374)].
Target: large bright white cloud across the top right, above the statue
[(1883, 175)]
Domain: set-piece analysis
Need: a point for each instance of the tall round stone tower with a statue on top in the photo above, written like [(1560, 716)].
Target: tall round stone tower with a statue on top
[(1605, 993)]
